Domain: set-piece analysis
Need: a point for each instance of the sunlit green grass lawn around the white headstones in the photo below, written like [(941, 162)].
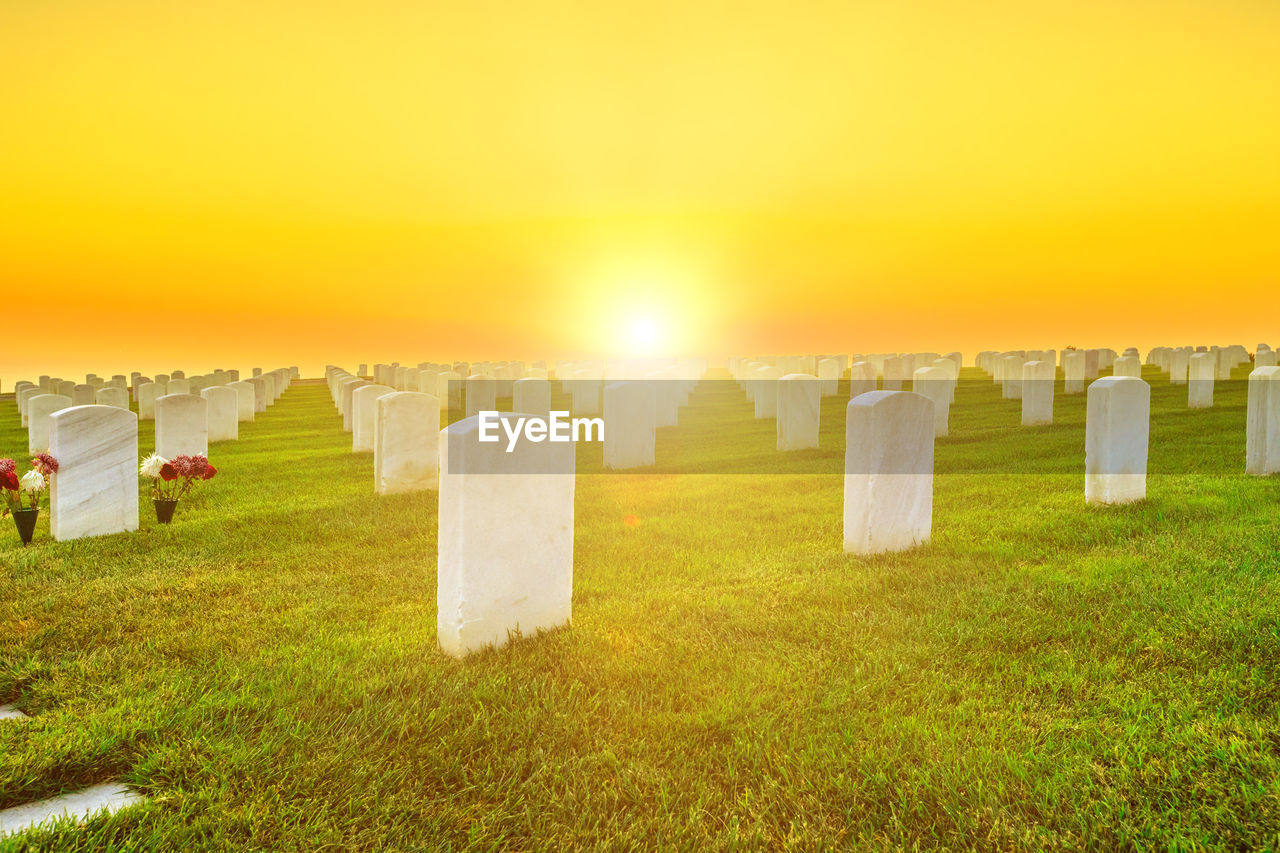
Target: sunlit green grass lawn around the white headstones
[(1043, 676)]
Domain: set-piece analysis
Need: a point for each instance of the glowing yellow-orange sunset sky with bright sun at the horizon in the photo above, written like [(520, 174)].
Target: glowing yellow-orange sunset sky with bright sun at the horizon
[(196, 185)]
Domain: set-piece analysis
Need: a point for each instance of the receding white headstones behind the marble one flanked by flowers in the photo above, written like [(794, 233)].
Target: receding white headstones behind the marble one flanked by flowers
[(188, 417)]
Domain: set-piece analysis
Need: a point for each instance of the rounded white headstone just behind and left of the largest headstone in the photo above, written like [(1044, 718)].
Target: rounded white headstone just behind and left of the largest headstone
[(406, 443)]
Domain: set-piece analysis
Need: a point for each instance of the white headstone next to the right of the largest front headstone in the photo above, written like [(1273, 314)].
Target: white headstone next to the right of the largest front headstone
[(889, 472)]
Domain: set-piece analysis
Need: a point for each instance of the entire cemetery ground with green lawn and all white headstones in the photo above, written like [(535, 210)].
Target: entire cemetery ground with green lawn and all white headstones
[(367, 608)]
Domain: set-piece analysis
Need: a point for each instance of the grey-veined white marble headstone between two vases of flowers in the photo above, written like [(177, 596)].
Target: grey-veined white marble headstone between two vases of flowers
[(95, 491)]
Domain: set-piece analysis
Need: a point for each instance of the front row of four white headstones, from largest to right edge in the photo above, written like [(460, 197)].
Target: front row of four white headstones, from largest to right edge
[(506, 555)]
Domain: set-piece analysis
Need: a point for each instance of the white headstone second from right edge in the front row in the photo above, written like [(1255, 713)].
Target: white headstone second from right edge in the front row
[(1117, 427)]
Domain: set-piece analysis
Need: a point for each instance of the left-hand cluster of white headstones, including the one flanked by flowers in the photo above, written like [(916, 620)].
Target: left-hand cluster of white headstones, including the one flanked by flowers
[(95, 491)]
